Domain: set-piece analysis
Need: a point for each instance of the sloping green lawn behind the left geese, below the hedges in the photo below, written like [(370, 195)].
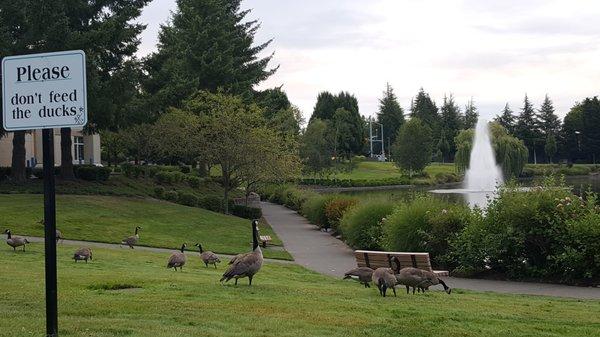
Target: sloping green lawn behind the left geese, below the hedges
[(110, 219)]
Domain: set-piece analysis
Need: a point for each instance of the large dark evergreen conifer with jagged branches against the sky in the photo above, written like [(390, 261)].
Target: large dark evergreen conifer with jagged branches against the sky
[(207, 45)]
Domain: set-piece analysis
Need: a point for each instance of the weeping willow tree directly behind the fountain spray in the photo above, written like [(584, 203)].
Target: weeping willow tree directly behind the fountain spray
[(511, 153)]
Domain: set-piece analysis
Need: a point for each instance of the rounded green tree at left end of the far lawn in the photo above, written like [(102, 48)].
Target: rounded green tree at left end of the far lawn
[(316, 147)]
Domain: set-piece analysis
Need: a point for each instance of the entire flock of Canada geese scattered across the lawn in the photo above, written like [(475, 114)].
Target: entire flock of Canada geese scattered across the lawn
[(248, 264)]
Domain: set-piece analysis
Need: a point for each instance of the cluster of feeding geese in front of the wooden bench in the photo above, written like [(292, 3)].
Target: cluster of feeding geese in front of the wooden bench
[(389, 278)]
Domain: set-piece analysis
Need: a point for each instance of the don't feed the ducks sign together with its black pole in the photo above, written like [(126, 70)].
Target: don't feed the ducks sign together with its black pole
[(46, 91)]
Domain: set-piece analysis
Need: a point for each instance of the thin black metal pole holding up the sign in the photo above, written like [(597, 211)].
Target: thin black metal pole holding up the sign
[(50, 233)]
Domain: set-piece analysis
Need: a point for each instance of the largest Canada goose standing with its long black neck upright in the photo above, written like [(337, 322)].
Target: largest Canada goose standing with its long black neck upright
[(248, 264)]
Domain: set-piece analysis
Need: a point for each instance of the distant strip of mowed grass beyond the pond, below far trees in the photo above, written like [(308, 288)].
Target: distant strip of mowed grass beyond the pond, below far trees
[(379, 170)]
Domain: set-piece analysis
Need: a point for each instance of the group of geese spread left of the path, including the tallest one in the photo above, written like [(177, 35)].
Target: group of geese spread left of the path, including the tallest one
[(240, 266)]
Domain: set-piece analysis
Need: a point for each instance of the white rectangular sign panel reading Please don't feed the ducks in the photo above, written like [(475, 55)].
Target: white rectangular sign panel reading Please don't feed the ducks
[(44, 91)]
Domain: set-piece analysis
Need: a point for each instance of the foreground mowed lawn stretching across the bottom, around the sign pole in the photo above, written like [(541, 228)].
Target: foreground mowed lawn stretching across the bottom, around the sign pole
[(285, 300)]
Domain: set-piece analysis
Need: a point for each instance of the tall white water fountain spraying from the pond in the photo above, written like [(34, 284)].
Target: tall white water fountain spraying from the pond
[(483, 176)]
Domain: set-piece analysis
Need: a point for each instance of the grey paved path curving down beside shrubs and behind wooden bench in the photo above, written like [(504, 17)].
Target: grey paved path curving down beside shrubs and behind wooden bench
[(323, 253)]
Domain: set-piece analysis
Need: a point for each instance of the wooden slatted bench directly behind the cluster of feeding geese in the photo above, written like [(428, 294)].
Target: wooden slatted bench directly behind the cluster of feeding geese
[(375, 259)]
